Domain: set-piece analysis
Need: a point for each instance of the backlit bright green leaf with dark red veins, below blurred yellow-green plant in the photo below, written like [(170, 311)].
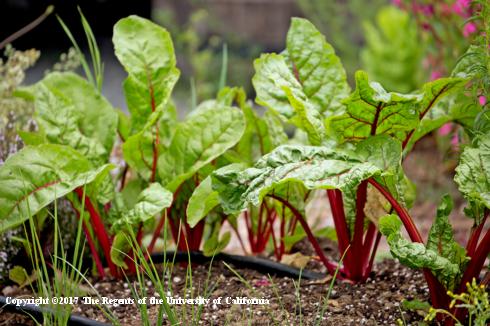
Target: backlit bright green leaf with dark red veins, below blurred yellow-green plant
[(371, 110)]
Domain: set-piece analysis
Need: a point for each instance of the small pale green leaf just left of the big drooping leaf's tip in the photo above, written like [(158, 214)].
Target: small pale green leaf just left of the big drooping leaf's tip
[(202, 201)]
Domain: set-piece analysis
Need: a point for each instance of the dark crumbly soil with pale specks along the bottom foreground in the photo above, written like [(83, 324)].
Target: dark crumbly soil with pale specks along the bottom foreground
[(376, 302)]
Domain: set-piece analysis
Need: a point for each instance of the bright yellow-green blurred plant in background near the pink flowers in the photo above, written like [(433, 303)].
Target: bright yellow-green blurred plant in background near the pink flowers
[(393, 51)]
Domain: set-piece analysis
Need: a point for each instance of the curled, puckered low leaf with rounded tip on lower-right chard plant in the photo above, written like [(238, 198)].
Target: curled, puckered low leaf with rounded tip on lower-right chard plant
[(415, 254)]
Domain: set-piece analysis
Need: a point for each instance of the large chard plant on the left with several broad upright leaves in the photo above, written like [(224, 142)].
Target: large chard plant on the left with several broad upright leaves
[(164, 159)]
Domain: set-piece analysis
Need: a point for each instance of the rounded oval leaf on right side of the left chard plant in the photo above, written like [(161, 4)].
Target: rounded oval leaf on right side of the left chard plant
[(204, 136)]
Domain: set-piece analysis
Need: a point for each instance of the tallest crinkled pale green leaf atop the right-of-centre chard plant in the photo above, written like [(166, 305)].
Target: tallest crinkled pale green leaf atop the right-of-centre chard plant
[(304, 83)]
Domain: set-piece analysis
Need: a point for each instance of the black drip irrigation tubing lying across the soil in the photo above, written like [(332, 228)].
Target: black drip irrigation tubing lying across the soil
[(261, 265)]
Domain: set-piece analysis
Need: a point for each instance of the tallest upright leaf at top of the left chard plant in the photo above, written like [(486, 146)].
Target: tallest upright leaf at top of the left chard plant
[(146, 51)]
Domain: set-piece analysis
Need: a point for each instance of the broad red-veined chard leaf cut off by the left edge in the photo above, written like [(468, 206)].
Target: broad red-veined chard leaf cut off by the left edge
[(36, 176)]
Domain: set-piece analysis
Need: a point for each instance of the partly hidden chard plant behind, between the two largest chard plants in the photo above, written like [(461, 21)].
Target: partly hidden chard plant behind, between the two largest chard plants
[(270, 224)]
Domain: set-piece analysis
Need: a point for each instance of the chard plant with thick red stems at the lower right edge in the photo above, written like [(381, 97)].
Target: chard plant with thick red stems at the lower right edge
[(453, 266)]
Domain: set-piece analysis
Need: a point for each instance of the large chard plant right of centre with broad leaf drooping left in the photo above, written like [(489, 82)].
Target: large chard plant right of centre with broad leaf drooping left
[(356, 142)]
